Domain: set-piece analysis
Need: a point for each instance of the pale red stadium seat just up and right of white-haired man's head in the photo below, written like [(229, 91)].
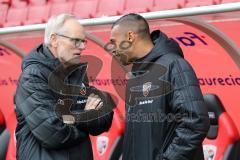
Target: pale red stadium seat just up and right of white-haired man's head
[(85, 8)]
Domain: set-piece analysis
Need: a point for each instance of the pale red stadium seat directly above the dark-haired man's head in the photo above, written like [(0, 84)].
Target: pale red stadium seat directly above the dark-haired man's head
[(138, 6)]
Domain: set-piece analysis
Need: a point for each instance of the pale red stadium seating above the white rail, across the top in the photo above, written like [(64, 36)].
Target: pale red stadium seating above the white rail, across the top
[(40, 10)]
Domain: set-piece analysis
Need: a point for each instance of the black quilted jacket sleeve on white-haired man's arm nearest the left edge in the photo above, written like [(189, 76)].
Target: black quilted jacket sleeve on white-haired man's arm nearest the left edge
[(38, 109)]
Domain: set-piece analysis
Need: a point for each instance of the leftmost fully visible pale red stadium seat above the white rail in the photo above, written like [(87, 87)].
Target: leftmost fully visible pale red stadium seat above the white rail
[(16, 17)]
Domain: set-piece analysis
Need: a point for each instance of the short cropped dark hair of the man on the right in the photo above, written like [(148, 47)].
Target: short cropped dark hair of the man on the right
[(135, 22)]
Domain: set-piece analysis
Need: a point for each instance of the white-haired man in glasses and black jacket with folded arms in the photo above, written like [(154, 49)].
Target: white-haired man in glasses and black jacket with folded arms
[(43, 132)]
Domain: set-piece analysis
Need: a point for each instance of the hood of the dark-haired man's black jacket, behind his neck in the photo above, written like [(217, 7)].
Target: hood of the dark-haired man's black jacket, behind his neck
[(162, 45)]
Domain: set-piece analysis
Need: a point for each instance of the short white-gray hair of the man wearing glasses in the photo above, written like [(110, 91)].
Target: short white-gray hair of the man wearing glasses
[(55, 25)]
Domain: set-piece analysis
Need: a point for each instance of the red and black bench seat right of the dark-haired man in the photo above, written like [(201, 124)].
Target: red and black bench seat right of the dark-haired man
[(223, 137)]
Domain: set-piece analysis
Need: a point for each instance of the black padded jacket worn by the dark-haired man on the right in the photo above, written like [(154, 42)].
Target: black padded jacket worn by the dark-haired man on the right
[(166, 115)]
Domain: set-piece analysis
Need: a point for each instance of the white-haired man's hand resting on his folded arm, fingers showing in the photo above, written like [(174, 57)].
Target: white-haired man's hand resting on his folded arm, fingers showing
[(93, 102)]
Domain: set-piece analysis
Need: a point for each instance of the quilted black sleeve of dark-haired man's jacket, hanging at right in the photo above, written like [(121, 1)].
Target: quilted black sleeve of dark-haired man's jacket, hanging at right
[(186, 100)]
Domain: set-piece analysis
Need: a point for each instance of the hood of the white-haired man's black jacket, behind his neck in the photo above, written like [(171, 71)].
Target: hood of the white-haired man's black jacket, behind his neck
[(40, 55)]
